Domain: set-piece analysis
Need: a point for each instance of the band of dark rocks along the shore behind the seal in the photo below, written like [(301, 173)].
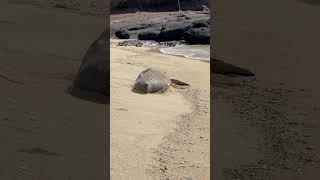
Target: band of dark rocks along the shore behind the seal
[(190, 27)]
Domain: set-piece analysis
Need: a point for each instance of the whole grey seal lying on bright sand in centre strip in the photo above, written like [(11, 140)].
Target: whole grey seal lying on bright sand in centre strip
[(151, 81)]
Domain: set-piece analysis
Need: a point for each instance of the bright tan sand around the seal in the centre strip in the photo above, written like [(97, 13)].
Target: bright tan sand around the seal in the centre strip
[(158, 135)]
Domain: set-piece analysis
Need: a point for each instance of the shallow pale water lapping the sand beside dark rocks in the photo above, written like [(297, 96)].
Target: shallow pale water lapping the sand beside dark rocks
[(197, 52)]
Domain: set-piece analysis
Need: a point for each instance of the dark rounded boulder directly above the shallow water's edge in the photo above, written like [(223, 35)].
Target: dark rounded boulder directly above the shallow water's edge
[(197, 36)]
